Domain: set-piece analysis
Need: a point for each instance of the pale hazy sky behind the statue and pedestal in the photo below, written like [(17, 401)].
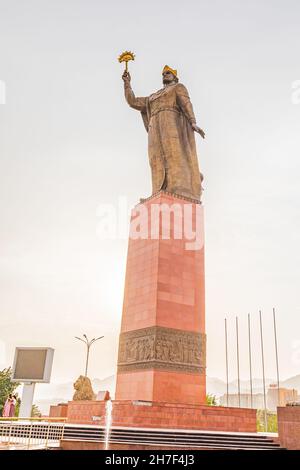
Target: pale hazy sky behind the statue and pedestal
[(69, 143)]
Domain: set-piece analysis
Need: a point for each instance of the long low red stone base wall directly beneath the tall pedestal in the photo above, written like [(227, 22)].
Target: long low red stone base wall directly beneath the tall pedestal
[(166, 415)]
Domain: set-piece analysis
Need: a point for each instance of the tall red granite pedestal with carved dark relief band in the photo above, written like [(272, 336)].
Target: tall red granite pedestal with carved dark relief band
[(162, 340)]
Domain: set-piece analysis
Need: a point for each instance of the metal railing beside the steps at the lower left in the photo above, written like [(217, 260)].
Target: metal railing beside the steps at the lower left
[(30, 433)]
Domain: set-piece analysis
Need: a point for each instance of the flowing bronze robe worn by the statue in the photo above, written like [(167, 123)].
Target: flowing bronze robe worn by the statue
[(168, 115)]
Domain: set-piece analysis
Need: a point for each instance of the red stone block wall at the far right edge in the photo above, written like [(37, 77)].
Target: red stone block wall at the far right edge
[(289, 427)]
